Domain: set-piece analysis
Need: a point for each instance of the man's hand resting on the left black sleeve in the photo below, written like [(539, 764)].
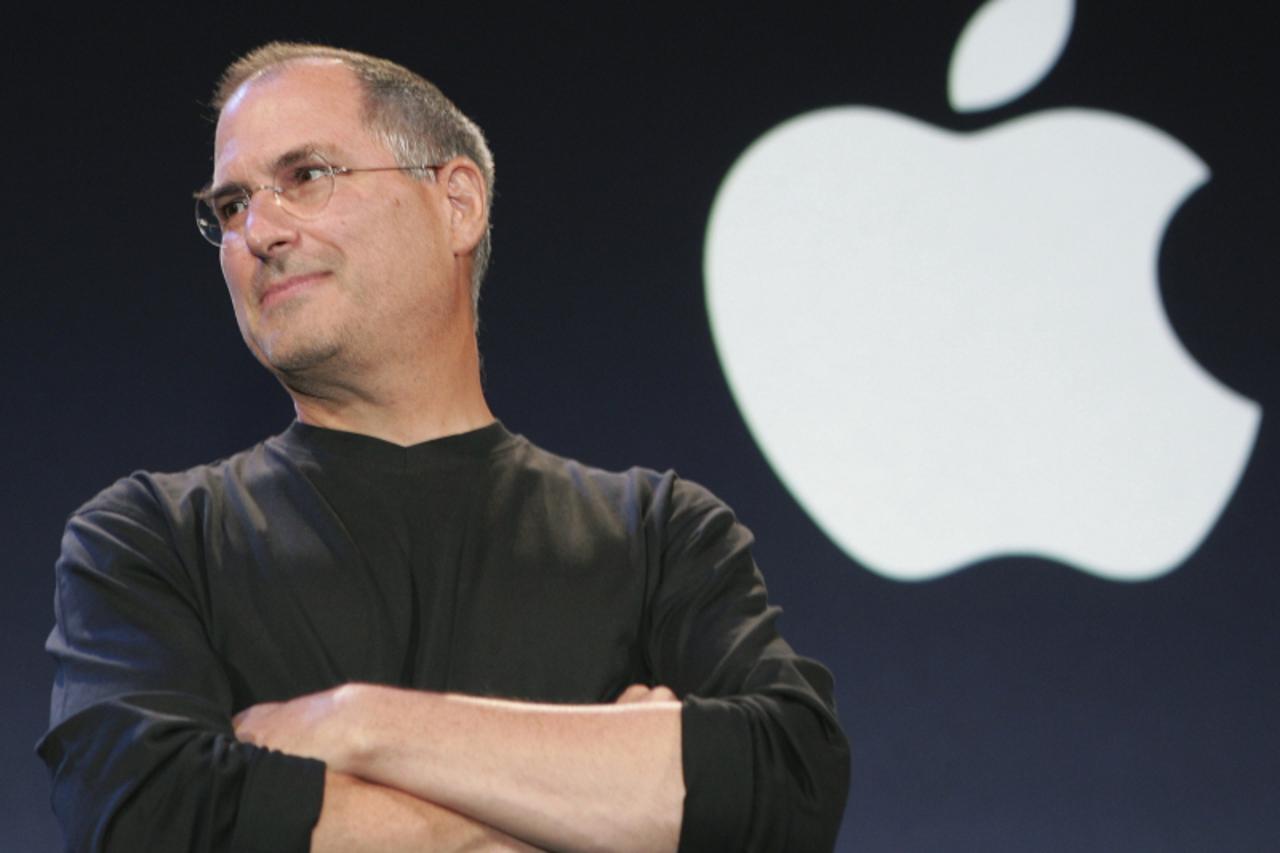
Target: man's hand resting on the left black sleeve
[(310, 726)]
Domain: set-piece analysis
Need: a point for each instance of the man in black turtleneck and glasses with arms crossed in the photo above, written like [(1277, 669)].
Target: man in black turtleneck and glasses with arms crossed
[(397, 626)]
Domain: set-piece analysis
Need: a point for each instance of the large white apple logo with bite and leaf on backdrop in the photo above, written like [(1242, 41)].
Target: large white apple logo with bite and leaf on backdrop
[(952, 346)]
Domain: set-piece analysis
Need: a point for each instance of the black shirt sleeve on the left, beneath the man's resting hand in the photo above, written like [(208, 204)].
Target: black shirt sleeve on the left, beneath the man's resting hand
[(140, 746)]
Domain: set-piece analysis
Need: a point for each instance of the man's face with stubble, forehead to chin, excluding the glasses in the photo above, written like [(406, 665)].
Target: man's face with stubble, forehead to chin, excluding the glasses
[(355, 285)]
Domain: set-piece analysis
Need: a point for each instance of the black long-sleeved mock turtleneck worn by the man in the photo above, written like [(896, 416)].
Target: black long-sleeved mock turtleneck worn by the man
[(476, 564)]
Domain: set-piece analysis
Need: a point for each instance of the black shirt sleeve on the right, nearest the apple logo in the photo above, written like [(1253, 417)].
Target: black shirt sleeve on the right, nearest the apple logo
[(766, 763)]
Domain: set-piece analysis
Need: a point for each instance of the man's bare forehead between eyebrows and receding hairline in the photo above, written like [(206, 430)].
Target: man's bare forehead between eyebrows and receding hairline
[(307, 103)]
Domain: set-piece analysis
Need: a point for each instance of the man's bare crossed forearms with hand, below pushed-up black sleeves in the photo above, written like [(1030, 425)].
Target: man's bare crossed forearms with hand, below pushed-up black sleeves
[(405, 767)]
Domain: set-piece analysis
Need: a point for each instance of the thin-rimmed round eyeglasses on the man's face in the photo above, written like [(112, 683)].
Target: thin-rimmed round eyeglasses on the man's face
[(301, 188)]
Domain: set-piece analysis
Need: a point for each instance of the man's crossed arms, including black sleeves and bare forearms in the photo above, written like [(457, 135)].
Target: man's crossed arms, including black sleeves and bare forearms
[(144, 756)]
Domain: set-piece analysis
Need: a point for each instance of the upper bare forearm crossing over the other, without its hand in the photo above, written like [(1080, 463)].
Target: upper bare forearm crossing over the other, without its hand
[(570, 778)]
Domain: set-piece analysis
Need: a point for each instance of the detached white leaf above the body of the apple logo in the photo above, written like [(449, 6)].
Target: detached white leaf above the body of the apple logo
[(1007, 48)]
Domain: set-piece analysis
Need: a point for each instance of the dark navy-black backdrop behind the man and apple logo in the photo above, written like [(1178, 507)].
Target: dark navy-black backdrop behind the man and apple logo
[(1020, 705)]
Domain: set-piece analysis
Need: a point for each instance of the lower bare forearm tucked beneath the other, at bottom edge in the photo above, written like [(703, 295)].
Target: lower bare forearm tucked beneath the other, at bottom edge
[(360, 816)]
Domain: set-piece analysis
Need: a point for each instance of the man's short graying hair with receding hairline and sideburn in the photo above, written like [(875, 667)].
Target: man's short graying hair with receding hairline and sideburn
[(408, 112)]
